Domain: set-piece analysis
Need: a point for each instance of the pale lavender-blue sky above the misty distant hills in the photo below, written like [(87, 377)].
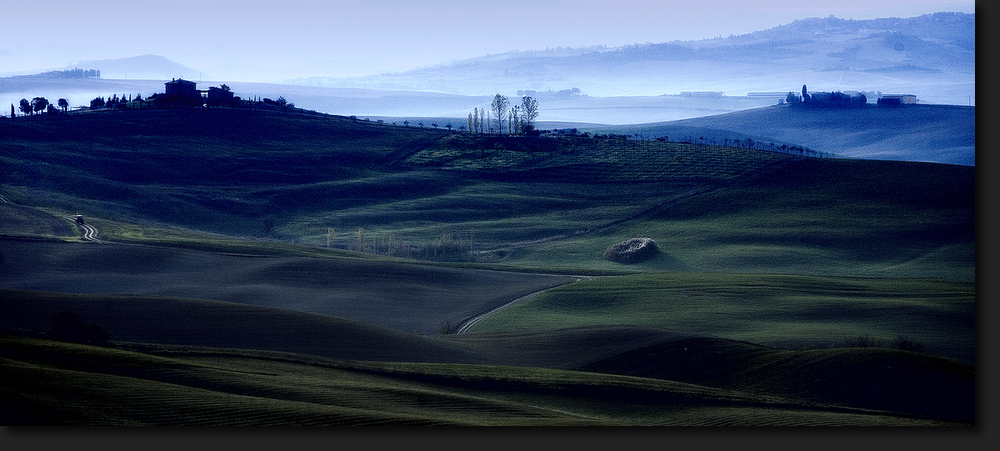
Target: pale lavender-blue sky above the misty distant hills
[(257, 40)]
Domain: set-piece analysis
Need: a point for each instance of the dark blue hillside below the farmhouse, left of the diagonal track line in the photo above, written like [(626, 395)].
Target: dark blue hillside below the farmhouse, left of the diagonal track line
[(293, 177)]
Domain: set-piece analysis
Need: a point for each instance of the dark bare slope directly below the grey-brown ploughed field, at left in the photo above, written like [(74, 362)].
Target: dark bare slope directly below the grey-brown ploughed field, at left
[(194, 322)]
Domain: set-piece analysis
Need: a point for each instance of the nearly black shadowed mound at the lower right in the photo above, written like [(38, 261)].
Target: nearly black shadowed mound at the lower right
[(874, 378)]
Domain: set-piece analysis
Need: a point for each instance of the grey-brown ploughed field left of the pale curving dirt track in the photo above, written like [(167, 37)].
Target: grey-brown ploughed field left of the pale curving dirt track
[(404, 296)]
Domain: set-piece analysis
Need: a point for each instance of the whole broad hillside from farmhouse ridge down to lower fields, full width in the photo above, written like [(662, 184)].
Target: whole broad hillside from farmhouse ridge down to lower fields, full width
[(836, 217)]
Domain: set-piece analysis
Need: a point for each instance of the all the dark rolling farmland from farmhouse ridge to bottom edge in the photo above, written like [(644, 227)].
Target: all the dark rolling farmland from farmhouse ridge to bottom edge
[(259, 268)]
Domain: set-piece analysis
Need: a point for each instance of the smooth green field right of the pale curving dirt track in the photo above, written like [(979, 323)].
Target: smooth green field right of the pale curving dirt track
[(795, 311)]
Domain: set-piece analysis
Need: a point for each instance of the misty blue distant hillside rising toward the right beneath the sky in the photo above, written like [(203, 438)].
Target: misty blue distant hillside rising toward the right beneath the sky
[(932, 56)]
